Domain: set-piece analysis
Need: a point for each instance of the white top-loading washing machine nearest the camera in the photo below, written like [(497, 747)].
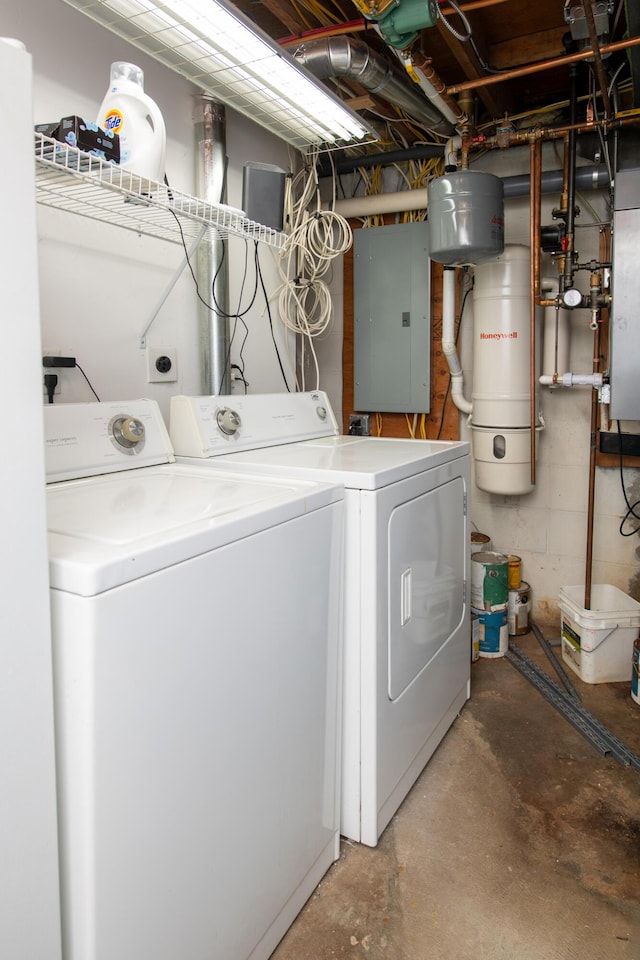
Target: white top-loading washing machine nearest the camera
[(196, 644)]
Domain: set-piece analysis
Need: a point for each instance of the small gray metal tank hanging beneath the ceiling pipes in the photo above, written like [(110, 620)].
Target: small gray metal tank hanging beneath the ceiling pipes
[(465, 217)]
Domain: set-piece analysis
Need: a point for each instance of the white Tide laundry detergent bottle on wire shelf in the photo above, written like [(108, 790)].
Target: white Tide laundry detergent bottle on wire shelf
[(128, 111)]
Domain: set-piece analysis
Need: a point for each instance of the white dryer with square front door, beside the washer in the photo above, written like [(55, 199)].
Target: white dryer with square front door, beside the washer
[(407, 620)]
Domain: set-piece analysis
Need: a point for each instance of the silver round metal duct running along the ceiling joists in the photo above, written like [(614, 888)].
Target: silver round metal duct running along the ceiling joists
[(331, 57)]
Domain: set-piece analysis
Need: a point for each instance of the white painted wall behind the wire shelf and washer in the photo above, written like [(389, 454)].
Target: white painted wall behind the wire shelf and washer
[(99, 284)]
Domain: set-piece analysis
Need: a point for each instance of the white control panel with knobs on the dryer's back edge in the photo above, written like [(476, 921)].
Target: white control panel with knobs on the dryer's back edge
[(210, 426)]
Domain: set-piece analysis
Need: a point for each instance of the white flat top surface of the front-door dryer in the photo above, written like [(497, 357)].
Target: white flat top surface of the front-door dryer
[(362, 463)]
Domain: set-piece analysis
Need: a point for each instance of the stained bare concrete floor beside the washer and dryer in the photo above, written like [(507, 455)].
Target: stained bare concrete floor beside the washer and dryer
[(518, 841)]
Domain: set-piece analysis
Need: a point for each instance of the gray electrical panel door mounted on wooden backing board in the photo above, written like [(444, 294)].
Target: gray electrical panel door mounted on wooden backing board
[(392, 325)]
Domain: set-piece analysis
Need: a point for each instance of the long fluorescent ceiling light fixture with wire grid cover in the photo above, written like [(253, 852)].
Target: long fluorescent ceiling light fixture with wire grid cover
[(216, 47)]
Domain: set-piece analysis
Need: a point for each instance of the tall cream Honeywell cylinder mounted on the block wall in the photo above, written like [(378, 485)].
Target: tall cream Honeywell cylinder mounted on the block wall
[(501, 409)]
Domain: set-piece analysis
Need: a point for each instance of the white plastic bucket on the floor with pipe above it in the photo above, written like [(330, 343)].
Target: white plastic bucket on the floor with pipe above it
[(598, 643)]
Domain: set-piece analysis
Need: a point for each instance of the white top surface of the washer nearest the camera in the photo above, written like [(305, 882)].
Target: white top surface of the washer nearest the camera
[(108, 530)]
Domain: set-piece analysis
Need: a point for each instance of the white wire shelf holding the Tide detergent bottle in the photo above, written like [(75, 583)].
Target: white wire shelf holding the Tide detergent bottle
[(72, 180)]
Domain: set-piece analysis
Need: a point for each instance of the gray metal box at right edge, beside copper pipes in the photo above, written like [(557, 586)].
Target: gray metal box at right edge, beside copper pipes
[(624, 332)]
